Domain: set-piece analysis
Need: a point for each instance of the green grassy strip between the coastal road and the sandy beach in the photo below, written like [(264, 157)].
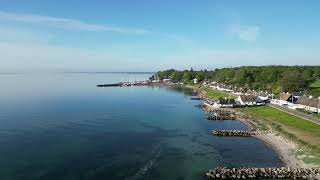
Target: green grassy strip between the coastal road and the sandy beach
[(303, 132)]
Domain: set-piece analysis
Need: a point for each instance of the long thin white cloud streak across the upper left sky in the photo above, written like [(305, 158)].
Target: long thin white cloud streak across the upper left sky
[(64, 23)]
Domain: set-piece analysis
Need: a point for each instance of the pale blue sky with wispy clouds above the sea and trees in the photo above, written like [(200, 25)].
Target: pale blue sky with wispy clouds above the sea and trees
[(152, 35)]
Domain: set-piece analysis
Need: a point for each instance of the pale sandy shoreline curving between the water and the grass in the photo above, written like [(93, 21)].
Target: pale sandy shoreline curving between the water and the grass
[(285, 149)]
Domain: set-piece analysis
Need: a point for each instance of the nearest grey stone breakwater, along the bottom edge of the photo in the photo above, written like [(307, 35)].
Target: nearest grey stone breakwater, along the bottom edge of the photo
[(263, 173)]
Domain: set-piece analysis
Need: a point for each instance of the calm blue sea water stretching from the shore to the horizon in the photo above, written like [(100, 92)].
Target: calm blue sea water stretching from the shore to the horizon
[(61, 126)]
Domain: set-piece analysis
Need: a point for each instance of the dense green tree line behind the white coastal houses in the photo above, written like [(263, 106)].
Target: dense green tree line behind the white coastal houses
[(273, 78)]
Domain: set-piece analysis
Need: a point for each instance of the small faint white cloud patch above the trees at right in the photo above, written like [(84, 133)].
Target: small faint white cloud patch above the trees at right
[(246, 33)]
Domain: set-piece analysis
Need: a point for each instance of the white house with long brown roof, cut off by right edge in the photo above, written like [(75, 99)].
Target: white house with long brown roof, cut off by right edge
[(308, 103)]
